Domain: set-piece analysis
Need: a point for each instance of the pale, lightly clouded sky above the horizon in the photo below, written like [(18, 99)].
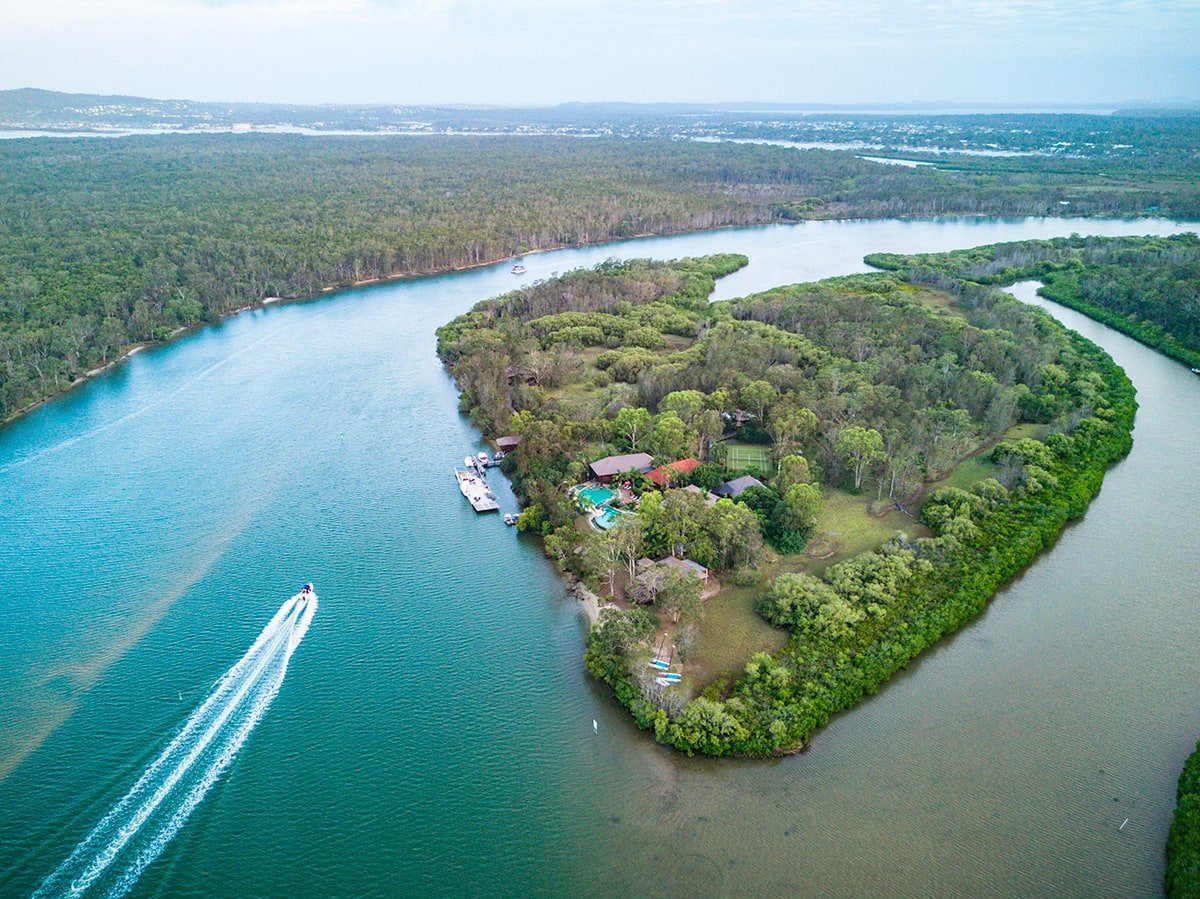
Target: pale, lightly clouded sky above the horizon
[(532, 52)]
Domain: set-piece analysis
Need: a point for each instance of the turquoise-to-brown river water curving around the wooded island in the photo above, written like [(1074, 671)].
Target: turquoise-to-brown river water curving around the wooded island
[(434, 734)]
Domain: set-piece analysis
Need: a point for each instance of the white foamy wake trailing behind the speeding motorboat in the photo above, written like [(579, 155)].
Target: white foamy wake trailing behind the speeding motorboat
[(139, 828)]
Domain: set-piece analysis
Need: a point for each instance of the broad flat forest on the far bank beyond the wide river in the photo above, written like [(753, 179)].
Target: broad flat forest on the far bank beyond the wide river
[(105, 244)]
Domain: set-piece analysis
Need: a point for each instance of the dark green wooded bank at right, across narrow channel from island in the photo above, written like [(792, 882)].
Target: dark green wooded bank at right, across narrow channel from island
[(1145, 287)]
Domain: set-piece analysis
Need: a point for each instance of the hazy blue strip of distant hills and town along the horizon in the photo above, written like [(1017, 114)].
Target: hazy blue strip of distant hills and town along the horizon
[(1153, 136)]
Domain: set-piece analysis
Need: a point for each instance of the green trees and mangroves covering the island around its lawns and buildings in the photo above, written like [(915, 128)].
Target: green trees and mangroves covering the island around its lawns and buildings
[(872, 382)]
